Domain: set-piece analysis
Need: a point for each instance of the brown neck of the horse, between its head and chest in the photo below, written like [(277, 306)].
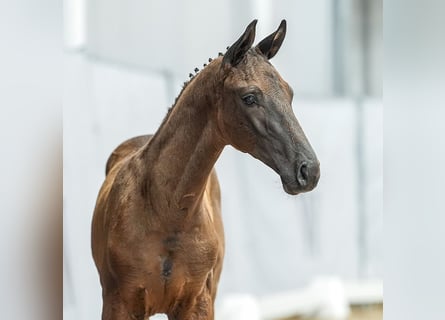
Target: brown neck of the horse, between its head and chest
[(182, 153)]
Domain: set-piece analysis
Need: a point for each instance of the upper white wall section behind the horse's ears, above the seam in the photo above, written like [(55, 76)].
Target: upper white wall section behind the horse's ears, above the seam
[(177, 36)]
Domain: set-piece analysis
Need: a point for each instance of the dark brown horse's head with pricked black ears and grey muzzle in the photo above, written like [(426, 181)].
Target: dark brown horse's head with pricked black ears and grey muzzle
[(255, 111)]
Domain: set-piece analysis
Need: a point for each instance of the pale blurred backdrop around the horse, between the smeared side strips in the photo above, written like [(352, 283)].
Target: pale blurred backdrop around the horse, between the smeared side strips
[(315, 254)]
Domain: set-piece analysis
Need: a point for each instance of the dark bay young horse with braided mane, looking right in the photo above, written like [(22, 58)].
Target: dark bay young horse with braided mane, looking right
[(157, 233)]
